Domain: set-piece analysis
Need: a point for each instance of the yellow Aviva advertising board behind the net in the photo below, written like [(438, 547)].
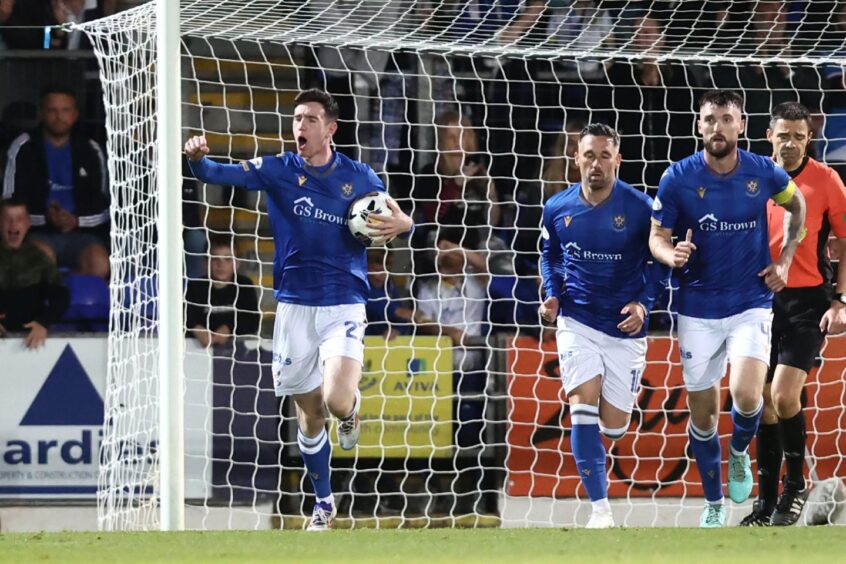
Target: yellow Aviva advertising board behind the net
[(406, 408)]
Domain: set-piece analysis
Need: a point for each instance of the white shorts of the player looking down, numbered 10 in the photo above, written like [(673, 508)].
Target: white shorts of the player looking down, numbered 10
[(584, 353)]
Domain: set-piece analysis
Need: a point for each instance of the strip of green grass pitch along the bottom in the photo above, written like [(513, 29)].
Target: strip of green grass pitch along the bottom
[(679, 546)]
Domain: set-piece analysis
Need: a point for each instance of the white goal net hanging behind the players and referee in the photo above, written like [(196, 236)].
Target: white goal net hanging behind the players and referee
[(469, 112)]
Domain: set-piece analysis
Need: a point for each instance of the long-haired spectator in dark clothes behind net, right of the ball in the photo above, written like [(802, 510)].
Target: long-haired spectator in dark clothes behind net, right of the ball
[(457, 198)]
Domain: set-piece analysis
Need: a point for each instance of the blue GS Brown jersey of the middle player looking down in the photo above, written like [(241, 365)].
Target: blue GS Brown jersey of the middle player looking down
[(595, 258)]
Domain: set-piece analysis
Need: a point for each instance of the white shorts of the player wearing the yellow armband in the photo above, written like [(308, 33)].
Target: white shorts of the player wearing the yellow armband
[(707, 345)]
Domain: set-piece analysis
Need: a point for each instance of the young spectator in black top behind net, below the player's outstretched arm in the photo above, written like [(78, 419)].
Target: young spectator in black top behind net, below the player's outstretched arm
[(225, 304)]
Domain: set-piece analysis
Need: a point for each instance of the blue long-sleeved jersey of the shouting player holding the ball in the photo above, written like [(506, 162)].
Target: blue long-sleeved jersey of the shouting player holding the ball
[(317, 261)]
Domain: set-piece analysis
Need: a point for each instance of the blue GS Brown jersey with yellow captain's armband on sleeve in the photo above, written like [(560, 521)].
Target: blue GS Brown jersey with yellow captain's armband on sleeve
[(728, 216)]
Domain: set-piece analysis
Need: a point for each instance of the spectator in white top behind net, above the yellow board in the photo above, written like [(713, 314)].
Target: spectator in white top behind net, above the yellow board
[(454, 303)]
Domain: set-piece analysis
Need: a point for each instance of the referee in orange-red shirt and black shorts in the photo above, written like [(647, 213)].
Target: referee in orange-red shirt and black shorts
[(802, 314)]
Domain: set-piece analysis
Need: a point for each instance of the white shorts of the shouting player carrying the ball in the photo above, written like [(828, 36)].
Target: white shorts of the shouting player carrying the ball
[(305, 336)]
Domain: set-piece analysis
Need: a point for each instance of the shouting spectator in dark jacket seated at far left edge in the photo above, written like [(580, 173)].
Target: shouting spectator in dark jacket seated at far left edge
[(32, 295)]
